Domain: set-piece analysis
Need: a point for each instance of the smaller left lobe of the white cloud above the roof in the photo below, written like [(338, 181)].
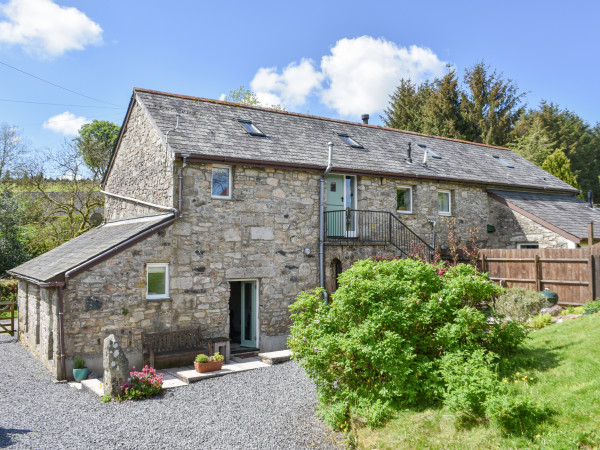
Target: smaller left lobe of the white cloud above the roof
[(289, 88)]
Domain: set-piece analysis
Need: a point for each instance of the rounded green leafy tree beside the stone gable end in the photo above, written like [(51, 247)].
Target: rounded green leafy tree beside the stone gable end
[(95, 143)]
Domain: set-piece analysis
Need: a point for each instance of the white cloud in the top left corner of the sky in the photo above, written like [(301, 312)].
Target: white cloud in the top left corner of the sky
[(47, 29)]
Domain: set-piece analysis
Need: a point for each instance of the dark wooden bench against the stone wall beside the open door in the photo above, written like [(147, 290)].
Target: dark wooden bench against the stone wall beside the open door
[(180, 345)]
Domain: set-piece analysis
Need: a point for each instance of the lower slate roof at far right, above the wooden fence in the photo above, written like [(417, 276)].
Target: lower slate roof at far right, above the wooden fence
[(565, 212)]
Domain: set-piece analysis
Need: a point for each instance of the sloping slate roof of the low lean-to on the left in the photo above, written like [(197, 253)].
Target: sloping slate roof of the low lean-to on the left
[(53, 264)]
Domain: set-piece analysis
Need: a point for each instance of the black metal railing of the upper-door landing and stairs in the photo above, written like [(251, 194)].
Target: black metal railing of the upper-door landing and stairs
[(353, 226)]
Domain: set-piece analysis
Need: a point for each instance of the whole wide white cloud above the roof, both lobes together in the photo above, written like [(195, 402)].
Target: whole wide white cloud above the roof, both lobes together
[(357, 77)]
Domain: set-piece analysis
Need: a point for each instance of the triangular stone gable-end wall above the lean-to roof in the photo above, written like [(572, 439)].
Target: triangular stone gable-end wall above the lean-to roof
[(139, 171)]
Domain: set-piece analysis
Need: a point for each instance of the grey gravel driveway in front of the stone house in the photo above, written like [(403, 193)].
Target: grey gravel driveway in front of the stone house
[(270, 408)]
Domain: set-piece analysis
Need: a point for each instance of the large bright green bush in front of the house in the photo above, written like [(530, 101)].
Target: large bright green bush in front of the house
[(379, 344)]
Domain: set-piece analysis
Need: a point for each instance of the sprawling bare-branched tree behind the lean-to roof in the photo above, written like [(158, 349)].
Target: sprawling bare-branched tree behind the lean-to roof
[(60, 210)]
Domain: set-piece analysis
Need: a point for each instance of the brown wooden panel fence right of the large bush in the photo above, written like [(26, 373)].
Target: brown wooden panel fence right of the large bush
[(572, 273)]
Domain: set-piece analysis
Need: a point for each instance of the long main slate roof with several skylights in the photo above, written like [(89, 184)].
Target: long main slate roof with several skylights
[(210, 130)]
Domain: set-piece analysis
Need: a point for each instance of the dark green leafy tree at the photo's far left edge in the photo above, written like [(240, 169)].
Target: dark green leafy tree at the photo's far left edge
[(13, 247)]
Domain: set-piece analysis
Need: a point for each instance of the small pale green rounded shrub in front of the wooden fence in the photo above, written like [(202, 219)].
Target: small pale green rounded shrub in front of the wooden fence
[(519, 304)]
